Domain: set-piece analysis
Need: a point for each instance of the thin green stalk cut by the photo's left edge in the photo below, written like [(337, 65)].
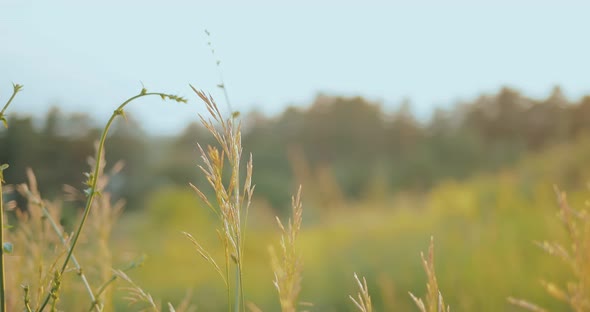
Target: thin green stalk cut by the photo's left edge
[(15, 89)]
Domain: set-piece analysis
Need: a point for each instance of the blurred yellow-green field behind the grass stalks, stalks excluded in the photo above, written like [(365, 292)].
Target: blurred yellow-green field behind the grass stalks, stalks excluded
[(484, 228)]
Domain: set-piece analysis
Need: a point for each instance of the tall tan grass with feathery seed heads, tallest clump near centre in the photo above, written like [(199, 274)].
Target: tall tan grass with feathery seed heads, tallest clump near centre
[(232, 202)]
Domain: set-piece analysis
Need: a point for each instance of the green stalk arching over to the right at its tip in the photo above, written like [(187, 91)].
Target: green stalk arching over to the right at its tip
[(92, 181)]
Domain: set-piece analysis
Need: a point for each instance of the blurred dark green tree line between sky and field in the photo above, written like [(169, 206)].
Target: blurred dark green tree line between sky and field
[(357, 142)]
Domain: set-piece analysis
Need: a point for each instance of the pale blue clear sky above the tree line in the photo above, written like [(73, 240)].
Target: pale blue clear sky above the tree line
[(89, 56)]
